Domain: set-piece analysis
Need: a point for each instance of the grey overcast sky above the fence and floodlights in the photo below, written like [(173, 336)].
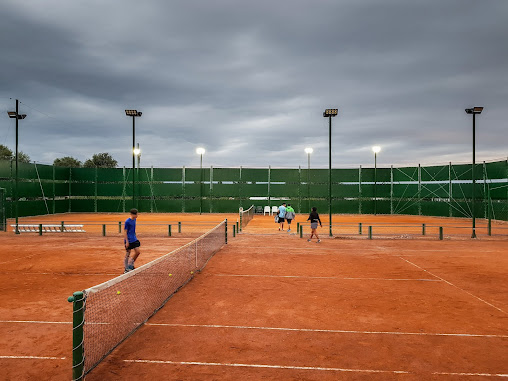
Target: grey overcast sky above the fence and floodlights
[(249, 80)]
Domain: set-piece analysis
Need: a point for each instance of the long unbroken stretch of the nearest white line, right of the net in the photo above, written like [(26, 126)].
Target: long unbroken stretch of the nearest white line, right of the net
[(265, 366)]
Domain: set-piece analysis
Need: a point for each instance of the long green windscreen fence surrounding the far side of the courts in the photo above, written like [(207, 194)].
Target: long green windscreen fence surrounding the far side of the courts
[(440, 190)]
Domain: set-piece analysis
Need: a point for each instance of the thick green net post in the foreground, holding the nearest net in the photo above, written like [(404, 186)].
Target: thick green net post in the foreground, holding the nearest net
[(78, 359)]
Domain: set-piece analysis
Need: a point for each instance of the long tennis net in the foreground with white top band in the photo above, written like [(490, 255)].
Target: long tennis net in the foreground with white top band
[(115, 309)]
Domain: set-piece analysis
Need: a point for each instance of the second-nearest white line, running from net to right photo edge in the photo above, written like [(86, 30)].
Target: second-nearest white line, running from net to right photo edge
[(326, 330)]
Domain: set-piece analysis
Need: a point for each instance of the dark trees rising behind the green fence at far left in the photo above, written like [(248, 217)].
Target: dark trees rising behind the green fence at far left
[(101, 160)]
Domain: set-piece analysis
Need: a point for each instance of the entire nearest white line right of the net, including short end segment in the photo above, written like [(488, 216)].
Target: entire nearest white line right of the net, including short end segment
[(307, 368)]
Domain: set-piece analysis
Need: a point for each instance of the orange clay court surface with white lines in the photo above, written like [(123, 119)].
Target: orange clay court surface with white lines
[(270, 305)]
